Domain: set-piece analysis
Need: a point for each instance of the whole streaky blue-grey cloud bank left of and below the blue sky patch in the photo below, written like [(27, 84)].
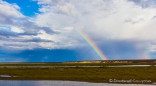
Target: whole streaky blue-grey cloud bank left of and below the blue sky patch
[(18, 31)]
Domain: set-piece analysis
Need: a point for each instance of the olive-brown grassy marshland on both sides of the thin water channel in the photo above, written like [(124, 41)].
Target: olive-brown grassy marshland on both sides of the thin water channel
[(101, 74)]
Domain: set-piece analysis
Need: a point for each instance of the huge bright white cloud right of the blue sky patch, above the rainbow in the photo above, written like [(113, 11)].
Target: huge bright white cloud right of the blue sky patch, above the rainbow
[(103, 19)]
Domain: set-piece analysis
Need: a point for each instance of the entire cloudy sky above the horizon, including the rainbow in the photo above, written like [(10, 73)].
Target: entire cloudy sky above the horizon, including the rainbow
[(73, 30)]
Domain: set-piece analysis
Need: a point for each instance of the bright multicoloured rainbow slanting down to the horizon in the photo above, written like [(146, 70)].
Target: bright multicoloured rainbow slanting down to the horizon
[(92, 44)]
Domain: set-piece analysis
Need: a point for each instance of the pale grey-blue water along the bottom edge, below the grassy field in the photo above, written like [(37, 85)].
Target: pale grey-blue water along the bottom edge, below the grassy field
[(58, 83)]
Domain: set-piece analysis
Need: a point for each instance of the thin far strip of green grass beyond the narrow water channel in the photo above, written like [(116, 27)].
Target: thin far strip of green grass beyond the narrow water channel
[(72, 64)]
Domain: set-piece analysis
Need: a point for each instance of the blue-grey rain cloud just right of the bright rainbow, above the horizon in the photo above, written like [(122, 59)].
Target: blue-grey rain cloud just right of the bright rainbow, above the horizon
[(125, 49)]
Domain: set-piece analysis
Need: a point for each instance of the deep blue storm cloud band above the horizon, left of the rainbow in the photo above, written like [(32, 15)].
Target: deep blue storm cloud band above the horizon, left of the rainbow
[(38, 55)]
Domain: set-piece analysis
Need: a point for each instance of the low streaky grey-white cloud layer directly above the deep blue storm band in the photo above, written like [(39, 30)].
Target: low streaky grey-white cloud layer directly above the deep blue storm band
[(19, 43)]
